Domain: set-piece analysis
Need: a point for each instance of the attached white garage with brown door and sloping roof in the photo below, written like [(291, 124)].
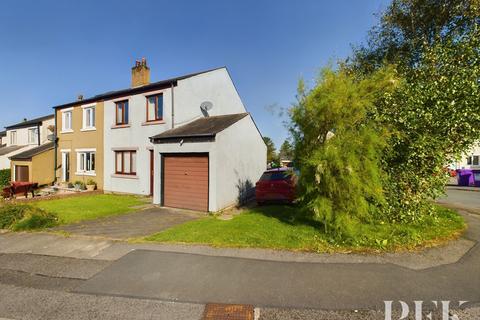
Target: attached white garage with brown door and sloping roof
[(208, 164)]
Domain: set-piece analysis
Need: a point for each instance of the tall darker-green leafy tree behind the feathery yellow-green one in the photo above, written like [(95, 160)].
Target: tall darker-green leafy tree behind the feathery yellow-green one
[(434, 116)]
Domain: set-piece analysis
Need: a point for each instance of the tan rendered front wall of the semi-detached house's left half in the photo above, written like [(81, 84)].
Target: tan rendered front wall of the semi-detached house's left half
[(79, 139)]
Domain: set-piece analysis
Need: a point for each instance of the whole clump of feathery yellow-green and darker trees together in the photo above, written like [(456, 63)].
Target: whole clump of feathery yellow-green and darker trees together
[(400, 109)]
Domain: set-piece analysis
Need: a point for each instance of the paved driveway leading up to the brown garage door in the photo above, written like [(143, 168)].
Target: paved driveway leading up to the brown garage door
[(137, 224)]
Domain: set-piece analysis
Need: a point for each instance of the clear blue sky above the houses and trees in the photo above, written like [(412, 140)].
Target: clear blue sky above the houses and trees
[(51, 51)]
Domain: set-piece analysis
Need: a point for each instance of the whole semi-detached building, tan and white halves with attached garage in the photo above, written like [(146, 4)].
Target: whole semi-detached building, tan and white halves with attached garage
[(187, 141)]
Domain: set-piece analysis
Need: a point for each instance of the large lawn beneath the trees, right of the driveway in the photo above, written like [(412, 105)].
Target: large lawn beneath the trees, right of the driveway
[(281, 227)]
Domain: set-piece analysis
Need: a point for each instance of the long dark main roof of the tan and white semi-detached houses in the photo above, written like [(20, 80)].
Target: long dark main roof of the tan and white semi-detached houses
[(119, 93)]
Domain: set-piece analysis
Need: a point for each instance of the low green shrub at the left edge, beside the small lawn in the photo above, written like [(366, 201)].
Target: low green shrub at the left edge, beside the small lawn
[(25, 217)]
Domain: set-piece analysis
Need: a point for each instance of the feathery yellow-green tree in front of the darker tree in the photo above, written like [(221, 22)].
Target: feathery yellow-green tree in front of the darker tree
[(340, 173)]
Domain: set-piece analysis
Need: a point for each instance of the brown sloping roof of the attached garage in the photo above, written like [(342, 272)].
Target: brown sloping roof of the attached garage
[(201, 128)]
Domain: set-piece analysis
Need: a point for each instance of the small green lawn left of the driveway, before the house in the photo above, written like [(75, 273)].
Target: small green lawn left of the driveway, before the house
[(74, 209)]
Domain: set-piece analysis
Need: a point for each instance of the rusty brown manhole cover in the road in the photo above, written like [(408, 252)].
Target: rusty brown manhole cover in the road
[(215, 311)]
